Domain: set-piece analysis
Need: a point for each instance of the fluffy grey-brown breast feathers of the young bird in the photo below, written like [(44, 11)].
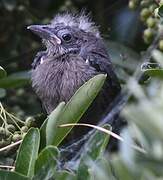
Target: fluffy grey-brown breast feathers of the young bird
[(60, 78)]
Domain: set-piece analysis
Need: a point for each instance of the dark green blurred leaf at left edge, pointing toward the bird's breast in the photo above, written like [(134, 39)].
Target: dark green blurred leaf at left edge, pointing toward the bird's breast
[(15, 80)]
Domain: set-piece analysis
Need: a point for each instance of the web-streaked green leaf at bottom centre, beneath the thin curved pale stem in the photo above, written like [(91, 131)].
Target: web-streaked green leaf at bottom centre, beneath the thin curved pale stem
[(94, 148)]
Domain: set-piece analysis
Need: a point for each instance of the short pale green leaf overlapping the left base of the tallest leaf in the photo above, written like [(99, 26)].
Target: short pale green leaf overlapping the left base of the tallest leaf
[(51, 123)]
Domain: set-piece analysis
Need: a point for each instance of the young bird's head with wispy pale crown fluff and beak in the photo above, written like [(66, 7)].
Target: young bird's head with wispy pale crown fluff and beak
[(66, 33)]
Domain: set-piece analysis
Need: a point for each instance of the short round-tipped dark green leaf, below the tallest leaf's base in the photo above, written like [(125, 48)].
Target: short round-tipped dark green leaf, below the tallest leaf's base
[(48, 156)]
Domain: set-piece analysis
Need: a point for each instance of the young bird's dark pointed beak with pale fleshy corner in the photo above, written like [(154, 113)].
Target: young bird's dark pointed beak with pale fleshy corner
[(45, 32)]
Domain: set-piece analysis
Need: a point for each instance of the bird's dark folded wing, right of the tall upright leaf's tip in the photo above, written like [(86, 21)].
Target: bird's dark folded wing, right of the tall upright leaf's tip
[(106, 99)]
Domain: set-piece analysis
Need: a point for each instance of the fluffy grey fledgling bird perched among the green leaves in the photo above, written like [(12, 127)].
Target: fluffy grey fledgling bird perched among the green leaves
[(75, 52)]
